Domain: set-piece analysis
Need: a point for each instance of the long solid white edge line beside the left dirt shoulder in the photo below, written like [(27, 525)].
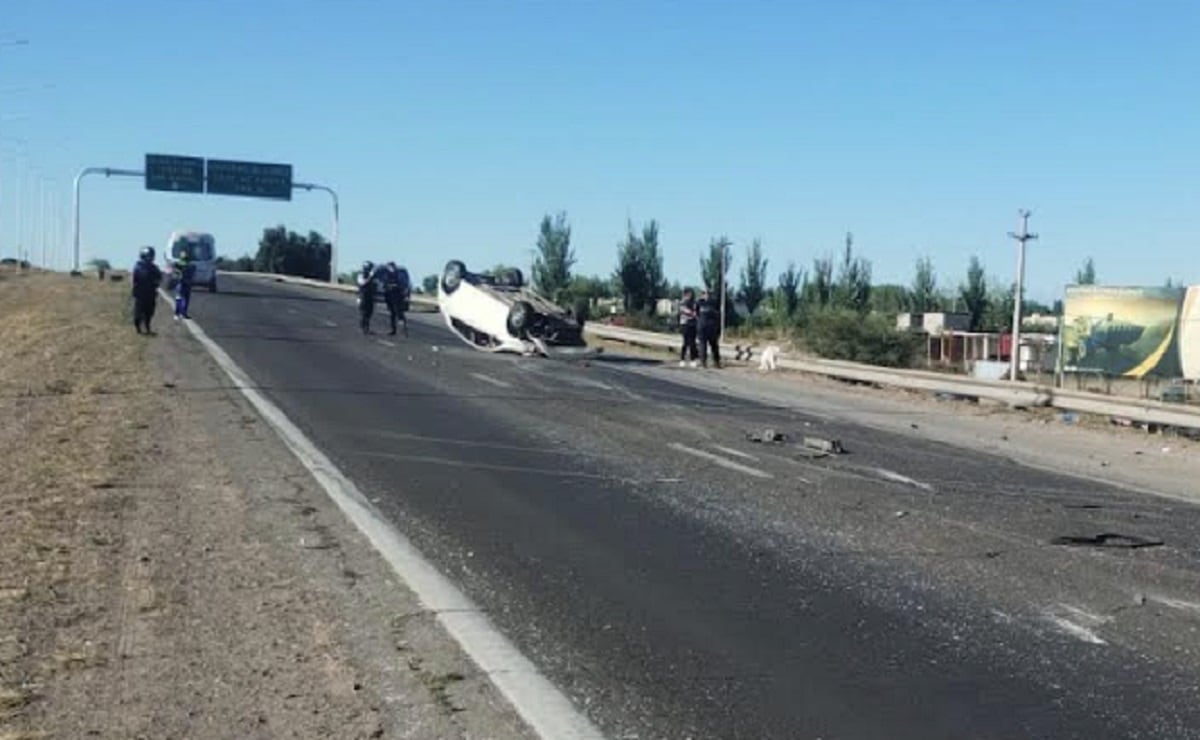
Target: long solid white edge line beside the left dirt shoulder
[(541, 703)]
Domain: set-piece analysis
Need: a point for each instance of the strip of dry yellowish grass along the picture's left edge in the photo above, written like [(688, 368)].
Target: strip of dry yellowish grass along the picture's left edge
[(74, 387)]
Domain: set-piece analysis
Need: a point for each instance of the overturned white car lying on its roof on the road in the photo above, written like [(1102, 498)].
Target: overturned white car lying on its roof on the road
[(500, 314)]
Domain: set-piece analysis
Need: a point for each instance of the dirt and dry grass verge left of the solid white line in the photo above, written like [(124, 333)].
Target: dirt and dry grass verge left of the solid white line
[(170, 570)]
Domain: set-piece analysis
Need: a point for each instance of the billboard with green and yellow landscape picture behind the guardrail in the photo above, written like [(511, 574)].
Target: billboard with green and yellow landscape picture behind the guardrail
[(1130, 333)]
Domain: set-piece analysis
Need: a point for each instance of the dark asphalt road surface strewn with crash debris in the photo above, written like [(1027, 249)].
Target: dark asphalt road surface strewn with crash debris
[(681, 581)]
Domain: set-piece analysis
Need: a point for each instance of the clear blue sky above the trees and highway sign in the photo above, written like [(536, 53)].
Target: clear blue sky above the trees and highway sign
[(451, 128)]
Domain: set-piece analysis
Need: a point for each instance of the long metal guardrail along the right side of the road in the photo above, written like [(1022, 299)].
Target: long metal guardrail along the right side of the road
[(1003, 392)]
